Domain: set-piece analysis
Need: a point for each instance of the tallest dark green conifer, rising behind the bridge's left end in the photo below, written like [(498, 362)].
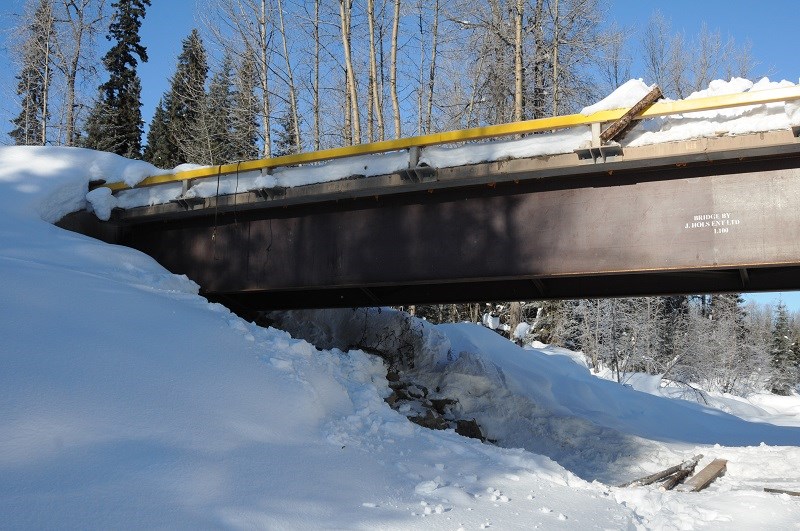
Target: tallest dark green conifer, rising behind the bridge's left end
[(115, 123)]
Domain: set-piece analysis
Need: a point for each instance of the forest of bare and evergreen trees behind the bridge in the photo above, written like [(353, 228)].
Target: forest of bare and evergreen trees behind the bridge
[(262, 78)]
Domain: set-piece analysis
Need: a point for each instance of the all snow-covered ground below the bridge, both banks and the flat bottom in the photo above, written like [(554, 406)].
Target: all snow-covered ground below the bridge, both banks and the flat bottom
[(128, 401)]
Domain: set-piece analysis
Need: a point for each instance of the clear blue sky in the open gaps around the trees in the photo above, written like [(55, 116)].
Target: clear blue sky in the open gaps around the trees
[(769, 26)]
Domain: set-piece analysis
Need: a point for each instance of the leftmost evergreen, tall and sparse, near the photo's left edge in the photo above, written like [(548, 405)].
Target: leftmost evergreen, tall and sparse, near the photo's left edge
[(30, 126)]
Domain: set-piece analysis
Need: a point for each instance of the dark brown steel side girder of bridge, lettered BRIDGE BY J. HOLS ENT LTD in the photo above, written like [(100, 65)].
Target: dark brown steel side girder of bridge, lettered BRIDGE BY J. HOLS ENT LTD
[(608, 230)]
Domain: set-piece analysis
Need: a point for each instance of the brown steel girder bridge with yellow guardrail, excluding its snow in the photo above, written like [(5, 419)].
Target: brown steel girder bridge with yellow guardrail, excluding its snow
[(712, 214)]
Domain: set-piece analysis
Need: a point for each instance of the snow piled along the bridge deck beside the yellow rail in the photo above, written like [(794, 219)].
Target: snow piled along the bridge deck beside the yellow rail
[(733, 121)]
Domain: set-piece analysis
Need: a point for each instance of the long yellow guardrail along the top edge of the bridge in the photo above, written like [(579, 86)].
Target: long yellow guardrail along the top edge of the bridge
[(478, 133)]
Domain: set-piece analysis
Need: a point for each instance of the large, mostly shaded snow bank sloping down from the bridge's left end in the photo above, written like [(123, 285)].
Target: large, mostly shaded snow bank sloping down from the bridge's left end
[(129, 401)]
